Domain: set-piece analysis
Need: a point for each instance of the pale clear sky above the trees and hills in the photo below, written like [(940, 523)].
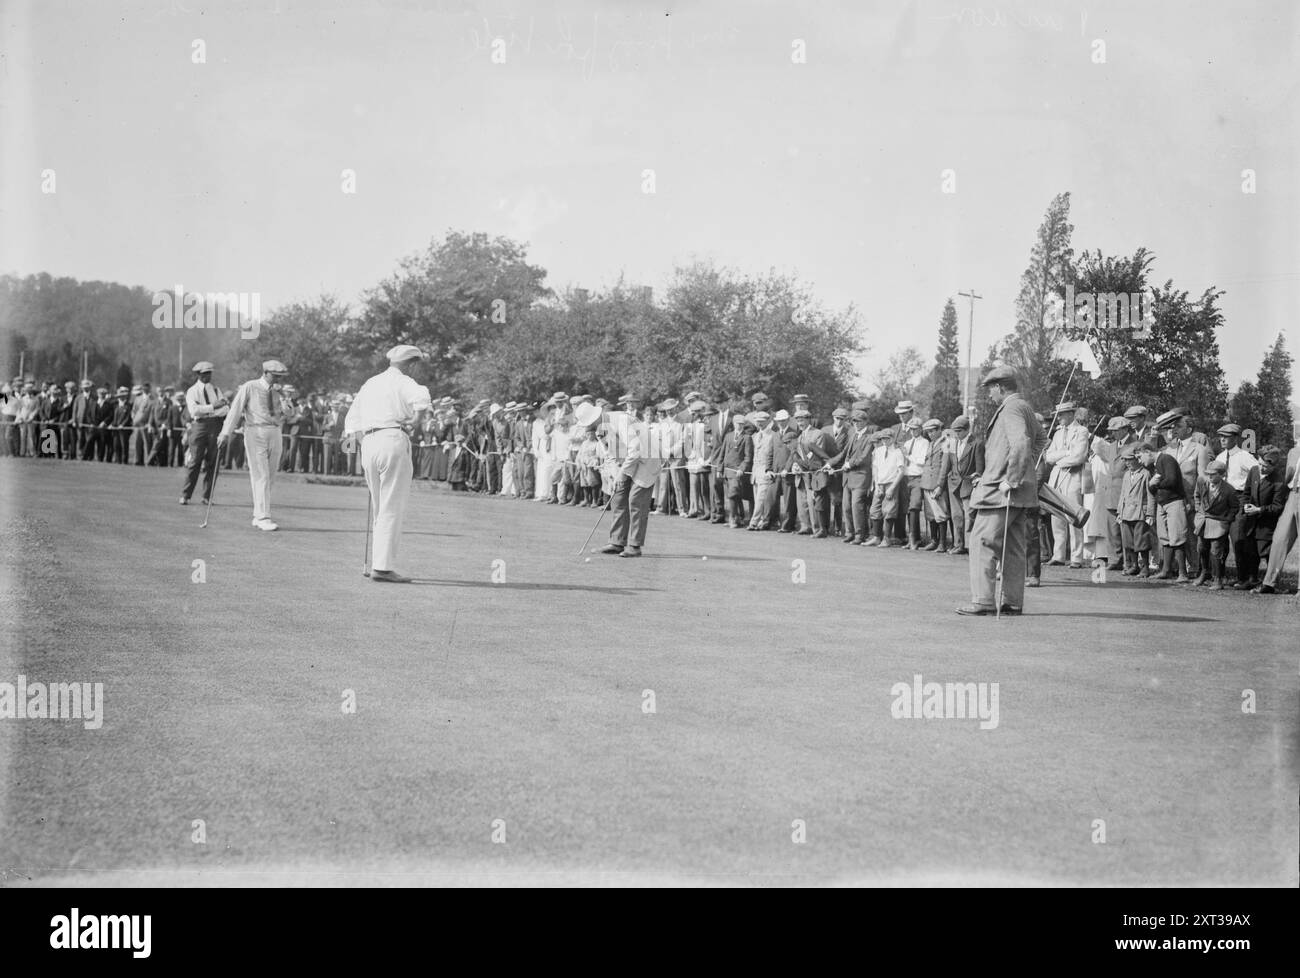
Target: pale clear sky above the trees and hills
[(227, 176)]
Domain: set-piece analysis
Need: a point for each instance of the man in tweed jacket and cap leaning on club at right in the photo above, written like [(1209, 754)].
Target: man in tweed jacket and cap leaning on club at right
[(1004, 501)]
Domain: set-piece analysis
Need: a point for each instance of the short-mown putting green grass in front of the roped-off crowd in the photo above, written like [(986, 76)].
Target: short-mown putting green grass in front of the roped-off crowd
[(519, 707)]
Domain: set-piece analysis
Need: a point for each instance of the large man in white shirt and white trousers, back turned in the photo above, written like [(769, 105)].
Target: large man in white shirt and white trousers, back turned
[(388, 406)]
